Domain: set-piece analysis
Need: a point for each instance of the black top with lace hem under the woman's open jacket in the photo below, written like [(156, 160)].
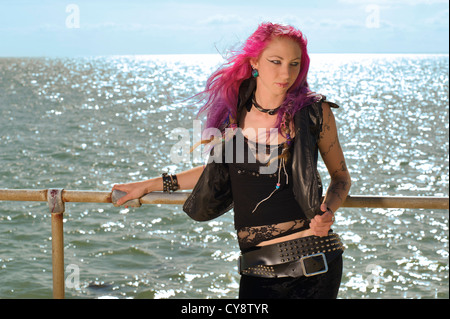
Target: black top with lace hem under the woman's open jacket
[(262, 212)]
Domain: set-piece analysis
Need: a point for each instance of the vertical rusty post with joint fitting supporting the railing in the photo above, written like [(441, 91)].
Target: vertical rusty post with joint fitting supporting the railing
[(56, 207)]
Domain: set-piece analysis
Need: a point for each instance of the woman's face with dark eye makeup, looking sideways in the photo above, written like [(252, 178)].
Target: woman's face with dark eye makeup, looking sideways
[(278, 66)]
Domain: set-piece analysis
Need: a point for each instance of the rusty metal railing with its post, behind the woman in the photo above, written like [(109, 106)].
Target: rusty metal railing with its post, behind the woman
[(56, 199)]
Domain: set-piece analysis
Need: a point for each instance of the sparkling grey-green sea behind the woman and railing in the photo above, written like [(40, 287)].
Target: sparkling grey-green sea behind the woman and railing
[(87, 123)]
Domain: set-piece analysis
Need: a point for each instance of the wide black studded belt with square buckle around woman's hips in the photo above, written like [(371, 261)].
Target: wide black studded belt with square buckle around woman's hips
[(306, 256)]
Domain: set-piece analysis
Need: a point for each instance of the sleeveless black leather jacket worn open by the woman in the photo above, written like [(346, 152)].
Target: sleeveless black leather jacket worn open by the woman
[(212, 196)]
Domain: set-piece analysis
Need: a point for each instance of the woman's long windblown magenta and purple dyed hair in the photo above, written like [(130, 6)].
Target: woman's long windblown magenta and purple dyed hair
[(222, 87)]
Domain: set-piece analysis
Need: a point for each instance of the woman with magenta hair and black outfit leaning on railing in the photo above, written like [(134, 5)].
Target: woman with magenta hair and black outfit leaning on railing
[(283, 225)]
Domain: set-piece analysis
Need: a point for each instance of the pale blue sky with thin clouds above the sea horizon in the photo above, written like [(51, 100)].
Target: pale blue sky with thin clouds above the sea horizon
[(100, 27)]
